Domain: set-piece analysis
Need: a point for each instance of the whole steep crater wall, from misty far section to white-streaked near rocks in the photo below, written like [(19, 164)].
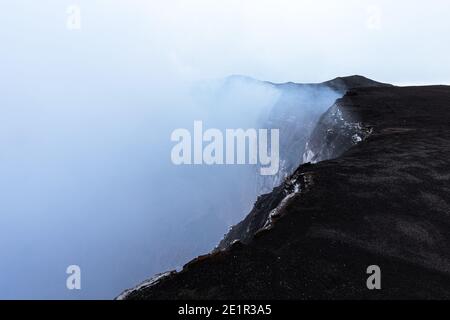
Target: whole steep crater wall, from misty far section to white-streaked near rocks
[(309, 136)]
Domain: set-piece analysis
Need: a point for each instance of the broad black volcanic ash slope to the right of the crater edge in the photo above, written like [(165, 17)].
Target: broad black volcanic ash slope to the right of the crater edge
[(385, 201)]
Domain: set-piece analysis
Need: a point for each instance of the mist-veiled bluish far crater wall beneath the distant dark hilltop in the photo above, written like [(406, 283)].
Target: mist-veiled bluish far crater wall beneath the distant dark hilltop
[(296, 114)]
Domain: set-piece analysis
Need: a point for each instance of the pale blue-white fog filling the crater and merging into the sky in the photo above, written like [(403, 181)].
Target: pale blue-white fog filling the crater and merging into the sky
[(86, 117)]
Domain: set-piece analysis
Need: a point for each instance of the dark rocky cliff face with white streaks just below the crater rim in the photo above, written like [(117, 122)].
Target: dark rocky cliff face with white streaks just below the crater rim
[(336, 132)]
